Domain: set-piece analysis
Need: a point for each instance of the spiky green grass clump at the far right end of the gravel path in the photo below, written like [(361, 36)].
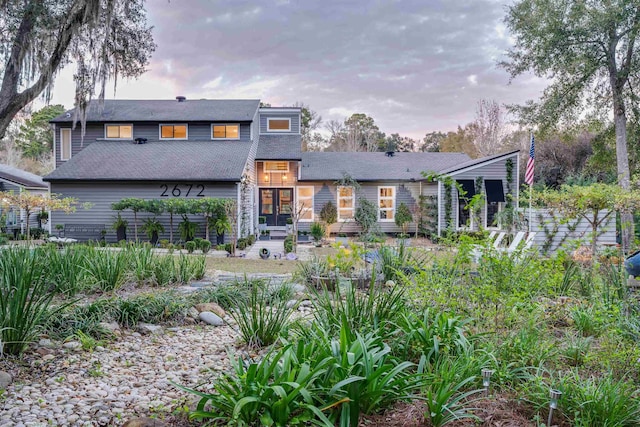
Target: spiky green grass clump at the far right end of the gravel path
[(260, 324)]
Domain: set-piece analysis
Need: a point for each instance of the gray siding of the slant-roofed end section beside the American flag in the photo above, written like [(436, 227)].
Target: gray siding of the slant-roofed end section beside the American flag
[(495, 170)]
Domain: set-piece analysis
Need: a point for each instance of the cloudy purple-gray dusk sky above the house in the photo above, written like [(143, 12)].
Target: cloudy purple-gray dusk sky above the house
[(414, 66)]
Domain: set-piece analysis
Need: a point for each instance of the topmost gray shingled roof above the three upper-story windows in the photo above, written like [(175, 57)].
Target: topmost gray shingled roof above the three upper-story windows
[(206, 110)]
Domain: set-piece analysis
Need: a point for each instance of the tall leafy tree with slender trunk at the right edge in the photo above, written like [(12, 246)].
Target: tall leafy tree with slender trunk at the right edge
[(589, 51)]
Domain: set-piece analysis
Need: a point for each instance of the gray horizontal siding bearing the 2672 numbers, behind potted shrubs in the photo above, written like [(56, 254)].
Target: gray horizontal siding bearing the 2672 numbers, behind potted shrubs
[(102, 195)]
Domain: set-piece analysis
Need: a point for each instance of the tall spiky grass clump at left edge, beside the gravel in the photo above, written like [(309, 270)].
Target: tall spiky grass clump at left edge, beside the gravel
[(24, 298)]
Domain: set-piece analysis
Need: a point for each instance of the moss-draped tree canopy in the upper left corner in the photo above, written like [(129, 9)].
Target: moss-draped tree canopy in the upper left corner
[(105, 39)]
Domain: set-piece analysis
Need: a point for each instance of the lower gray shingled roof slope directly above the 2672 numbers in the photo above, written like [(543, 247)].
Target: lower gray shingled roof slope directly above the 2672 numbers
[(155, 161)]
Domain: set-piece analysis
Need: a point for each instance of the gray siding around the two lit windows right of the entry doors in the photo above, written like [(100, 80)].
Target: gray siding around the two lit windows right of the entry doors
[(406, 193)]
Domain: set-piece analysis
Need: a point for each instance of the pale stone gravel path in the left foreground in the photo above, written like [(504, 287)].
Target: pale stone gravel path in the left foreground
[(61, 385)]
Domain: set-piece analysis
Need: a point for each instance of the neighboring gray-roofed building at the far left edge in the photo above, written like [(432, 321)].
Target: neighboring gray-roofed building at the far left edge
[(18, 180)]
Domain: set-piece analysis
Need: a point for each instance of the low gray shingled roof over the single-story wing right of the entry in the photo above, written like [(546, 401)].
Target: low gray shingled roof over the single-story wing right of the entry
[(318, 166)]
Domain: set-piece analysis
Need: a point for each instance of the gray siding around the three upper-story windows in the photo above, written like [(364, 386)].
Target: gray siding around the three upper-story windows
[(150, 131)]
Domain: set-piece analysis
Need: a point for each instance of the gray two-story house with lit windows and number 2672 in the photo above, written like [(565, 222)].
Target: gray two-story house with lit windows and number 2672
[(160, 149)]
